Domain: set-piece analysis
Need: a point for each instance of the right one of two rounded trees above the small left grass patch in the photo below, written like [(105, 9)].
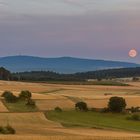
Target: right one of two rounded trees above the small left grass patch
[(25, 95)]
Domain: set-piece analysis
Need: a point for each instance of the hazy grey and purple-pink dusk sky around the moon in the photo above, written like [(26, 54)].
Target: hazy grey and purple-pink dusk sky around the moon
[(96, 29)]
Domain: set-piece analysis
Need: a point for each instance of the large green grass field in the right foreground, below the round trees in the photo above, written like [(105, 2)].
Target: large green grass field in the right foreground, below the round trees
[(94, 120)]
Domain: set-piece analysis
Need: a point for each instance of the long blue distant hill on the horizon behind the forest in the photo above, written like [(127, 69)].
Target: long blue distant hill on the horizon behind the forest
[(61, 65)]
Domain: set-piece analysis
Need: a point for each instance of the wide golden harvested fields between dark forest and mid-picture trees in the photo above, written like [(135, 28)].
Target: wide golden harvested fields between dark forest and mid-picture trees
[(94, 95)]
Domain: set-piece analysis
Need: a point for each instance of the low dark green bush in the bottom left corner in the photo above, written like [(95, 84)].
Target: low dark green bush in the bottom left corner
[(7, 130)]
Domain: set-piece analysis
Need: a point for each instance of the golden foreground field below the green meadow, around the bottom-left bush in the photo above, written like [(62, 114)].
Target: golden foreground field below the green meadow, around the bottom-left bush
[(35, 124)]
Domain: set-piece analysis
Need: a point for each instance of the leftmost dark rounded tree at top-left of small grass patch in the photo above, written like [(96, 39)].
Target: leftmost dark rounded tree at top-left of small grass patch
[(9, 97)]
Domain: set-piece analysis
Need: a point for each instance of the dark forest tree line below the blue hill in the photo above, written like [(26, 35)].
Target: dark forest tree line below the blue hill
[(81, 76)]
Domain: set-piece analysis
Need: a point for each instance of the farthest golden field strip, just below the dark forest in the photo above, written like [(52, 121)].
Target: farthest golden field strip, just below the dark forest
[(56, 88)]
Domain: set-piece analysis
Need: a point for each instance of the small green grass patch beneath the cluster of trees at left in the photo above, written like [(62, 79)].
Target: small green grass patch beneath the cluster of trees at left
[(19, 106)]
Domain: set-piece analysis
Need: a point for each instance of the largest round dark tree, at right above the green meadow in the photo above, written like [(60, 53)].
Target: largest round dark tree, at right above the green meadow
[(116, 104)]
